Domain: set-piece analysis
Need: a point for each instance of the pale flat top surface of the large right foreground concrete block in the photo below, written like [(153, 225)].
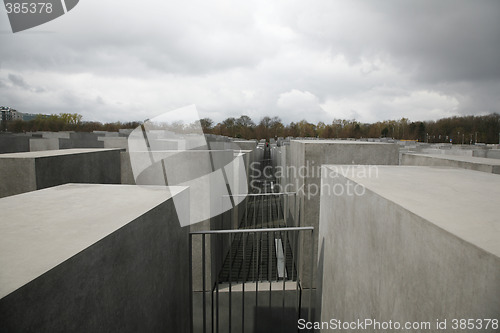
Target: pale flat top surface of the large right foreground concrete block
[(462, 202)]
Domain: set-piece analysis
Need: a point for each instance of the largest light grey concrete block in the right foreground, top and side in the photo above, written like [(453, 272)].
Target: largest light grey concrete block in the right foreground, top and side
[(420, 244)]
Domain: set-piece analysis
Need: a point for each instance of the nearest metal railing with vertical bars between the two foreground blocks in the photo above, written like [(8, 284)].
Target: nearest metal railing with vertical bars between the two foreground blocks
[(257, 260)]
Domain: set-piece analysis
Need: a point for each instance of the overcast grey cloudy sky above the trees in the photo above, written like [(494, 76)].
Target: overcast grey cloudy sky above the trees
[(314, 60)]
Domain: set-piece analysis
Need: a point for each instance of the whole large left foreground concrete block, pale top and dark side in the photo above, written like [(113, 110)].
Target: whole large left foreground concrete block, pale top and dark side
[(88, 258)]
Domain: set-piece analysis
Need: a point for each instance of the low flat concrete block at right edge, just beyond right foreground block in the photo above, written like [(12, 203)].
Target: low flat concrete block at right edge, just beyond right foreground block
[(465, 162)]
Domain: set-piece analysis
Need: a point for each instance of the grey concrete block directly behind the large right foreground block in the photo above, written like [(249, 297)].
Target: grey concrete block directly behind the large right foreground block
[(306, 158)]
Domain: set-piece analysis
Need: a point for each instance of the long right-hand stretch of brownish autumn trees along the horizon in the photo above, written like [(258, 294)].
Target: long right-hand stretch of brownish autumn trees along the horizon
[(465, 129)]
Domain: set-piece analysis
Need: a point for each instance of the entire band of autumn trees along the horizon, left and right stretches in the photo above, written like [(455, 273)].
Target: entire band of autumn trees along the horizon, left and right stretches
[(465, 129)]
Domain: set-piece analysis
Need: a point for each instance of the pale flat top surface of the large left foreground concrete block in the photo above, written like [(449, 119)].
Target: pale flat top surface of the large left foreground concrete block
[(41, 229)]
